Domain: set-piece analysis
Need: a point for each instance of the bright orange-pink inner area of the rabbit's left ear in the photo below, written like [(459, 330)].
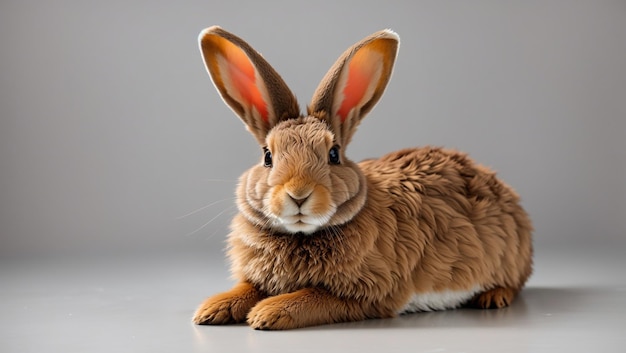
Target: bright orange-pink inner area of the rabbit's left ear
[(242, 74)]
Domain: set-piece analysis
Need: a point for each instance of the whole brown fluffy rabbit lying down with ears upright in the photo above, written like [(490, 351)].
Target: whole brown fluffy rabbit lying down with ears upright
[(319, 239)]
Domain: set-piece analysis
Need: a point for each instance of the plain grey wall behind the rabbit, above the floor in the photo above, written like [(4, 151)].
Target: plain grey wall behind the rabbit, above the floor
[(110, 129)]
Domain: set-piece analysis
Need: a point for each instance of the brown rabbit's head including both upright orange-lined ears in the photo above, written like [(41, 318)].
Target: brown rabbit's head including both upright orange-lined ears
[(303, 182)]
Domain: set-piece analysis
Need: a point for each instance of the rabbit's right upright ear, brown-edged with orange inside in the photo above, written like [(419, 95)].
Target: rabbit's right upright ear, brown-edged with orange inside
[(356, 82)]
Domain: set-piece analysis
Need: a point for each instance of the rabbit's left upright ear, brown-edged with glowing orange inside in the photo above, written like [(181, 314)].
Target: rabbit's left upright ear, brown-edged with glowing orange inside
[(246, 82)]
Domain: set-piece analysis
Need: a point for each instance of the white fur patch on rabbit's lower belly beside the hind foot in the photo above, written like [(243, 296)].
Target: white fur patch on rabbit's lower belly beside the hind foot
[(443, 300)]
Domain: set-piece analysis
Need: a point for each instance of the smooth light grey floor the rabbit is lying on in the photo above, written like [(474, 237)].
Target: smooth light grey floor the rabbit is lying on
[(576, 301)]
